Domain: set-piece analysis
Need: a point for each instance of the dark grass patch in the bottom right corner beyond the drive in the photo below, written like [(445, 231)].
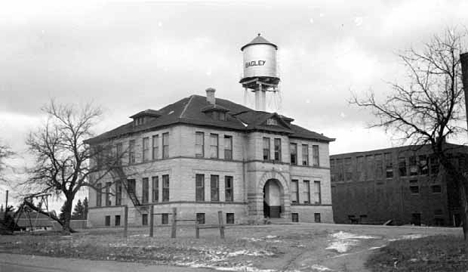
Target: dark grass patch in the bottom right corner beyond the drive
[(436, 253)]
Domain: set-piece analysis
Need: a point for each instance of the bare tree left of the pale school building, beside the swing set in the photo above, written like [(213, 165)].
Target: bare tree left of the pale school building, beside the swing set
[(63, 159)]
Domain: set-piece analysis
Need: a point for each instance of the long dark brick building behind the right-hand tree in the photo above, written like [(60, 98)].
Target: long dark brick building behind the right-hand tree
[(404, 184)]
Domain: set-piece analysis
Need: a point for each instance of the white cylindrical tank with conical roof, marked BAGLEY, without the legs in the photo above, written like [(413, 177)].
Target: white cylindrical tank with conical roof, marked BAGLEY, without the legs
[(259, 63)]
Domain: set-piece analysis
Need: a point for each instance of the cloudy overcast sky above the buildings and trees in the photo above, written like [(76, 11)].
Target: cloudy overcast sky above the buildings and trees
[(127, 56)]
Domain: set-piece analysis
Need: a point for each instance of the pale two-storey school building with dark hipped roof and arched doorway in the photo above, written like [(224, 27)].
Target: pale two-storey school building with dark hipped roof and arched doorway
[(203, 154)]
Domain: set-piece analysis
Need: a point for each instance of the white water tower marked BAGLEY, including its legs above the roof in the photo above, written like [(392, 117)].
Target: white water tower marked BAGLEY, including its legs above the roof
[(260, 70)]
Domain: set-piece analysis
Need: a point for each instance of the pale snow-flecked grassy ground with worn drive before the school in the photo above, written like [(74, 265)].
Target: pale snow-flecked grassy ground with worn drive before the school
[(296, 247)]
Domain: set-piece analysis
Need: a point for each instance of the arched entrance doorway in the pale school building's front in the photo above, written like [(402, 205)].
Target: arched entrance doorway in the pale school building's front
[(272, 199)]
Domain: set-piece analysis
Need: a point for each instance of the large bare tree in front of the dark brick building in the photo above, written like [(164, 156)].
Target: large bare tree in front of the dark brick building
[(428, 109)]
